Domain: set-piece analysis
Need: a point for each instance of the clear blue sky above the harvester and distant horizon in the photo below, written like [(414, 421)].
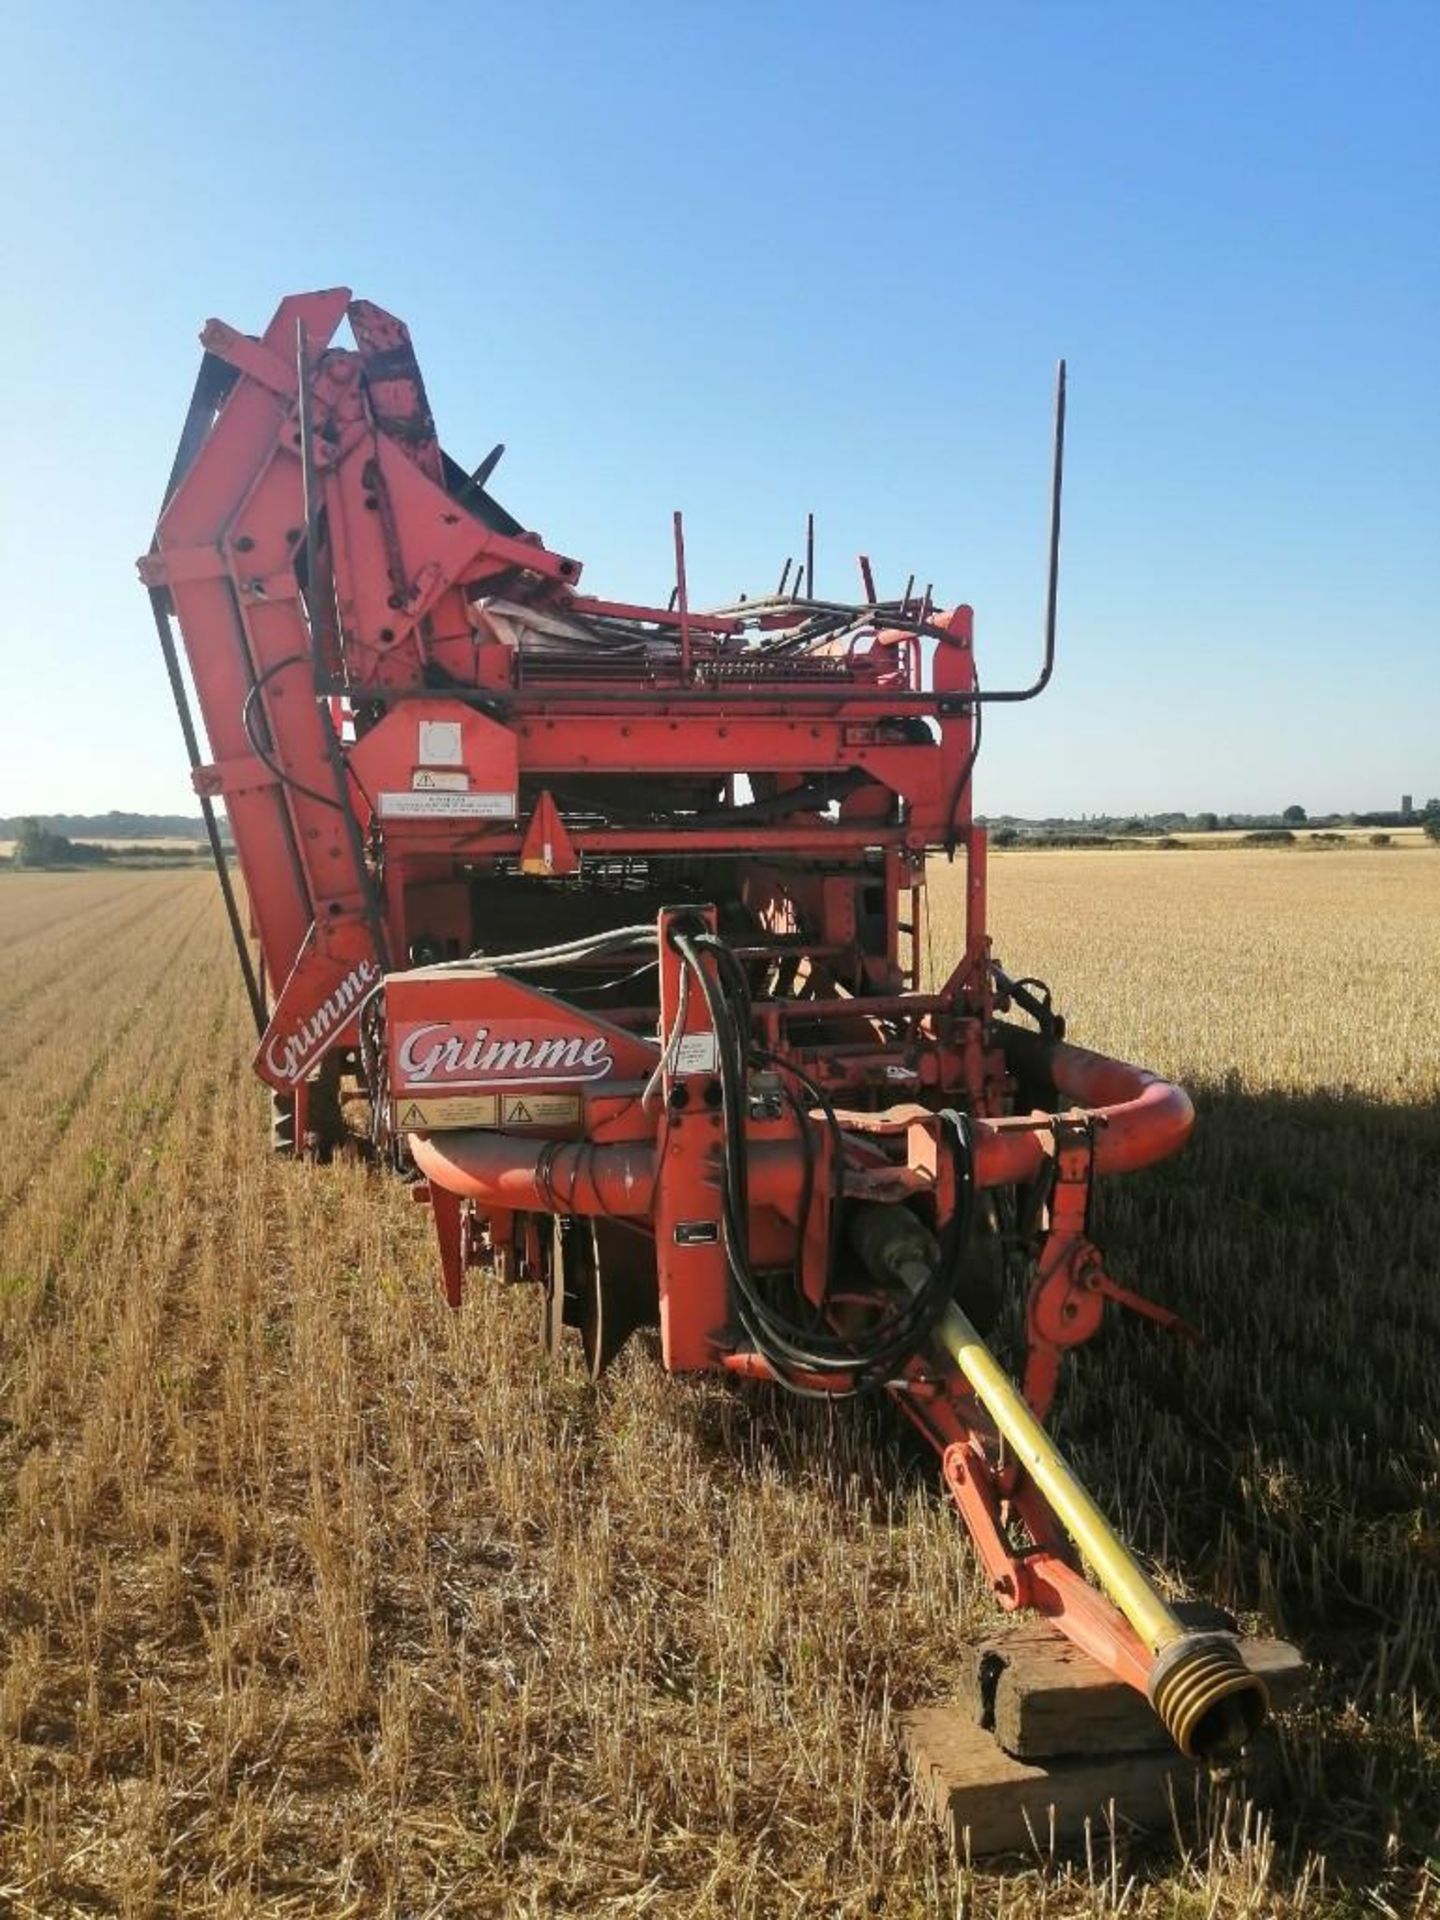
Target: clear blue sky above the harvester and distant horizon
[(759, 260)]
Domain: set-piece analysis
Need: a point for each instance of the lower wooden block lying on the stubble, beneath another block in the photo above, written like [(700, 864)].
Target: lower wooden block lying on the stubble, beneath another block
[(997, 1804)]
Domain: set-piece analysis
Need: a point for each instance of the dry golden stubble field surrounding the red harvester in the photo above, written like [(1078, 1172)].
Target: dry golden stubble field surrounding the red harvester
[(322, 1602)]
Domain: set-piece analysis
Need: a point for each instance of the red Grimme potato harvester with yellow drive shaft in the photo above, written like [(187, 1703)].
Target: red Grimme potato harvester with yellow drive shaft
[(650, 1034)]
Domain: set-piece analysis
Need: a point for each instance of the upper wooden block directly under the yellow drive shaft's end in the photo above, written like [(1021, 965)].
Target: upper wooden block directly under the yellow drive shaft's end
[(1042, 1696)]
